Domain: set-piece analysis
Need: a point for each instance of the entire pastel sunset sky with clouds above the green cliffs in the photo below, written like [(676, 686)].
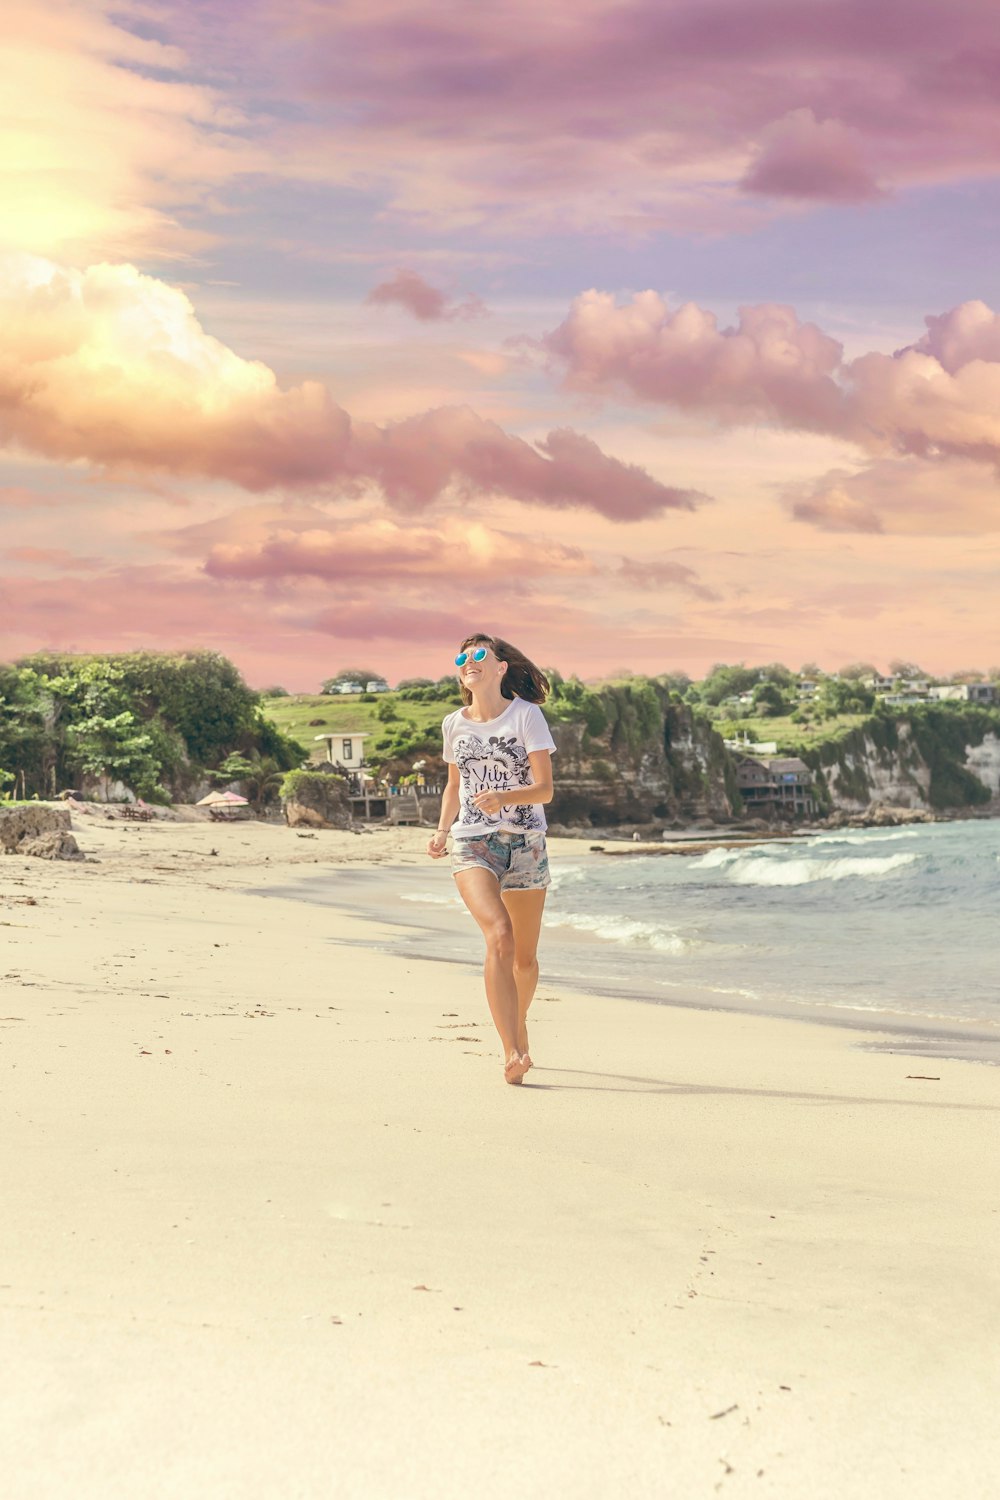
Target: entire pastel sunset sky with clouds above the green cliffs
[(647, 334)]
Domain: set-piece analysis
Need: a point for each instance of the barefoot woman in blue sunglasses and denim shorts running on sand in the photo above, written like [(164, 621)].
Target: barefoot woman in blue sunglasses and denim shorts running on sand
[(500, 773)]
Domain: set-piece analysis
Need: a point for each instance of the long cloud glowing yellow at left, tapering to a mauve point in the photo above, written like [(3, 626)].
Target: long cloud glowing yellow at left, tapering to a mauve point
[(113, 367)]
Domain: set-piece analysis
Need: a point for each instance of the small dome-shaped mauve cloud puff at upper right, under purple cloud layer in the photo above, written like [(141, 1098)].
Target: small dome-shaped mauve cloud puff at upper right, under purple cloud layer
[(806, 158)]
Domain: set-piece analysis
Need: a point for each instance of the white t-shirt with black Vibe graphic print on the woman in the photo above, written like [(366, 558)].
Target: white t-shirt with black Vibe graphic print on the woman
[(494, 758)]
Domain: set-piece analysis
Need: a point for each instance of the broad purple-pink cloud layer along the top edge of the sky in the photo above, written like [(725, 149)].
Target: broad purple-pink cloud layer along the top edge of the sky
[(623, 115)]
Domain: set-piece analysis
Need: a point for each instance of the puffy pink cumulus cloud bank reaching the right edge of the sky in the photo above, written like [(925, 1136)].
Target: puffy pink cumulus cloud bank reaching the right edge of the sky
[(938, 397)]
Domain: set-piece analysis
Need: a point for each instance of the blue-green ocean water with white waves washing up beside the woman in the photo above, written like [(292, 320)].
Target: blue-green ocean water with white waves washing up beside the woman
[(894, 928)]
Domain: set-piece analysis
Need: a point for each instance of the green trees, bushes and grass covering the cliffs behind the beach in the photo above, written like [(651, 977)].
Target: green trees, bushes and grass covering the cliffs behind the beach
[(163, 724)]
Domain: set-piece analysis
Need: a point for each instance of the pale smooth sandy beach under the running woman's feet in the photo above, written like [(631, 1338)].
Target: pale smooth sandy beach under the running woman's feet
[(275, 1226)]
